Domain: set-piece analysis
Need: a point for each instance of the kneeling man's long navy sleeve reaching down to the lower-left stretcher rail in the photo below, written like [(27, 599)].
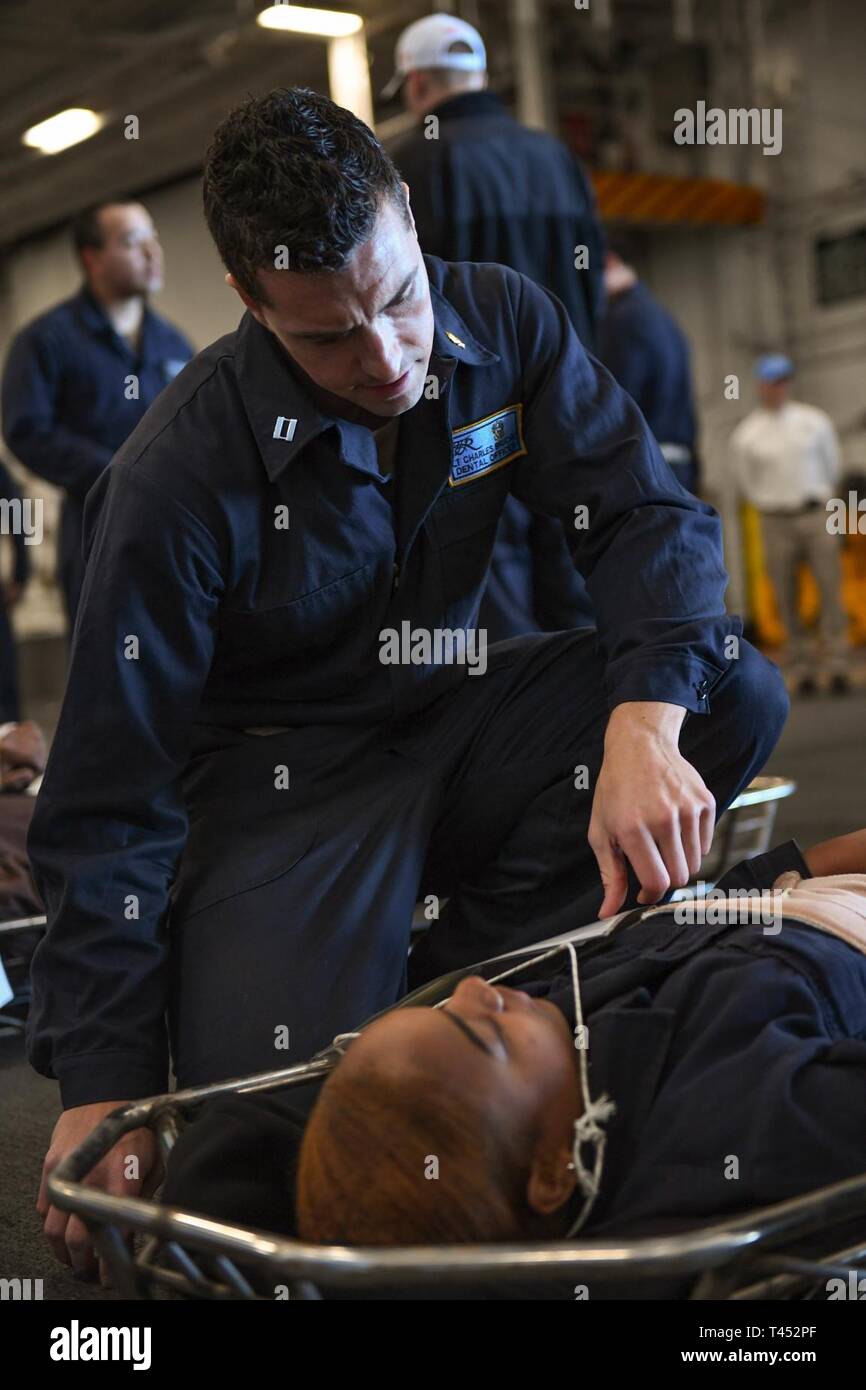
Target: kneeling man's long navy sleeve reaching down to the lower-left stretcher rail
[(109, 824)]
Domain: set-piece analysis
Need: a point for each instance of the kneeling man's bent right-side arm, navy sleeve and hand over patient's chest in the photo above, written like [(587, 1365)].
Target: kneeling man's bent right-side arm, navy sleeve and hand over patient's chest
[(651, 555)]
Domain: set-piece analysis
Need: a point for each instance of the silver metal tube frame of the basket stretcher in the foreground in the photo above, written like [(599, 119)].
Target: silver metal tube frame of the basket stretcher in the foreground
[(177, 1252)]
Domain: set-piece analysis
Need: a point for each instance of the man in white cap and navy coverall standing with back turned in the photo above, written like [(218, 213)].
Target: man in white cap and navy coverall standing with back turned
[(486, 188)]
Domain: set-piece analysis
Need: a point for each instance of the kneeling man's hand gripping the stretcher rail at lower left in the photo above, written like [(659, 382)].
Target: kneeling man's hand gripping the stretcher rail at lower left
[(67, 1235)]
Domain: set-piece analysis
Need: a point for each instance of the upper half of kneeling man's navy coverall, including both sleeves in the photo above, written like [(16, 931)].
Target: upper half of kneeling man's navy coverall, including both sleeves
[(202, 608)]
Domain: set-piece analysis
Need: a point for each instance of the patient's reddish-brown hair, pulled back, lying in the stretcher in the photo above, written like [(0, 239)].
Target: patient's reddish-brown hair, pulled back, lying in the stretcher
[(369, 1147)]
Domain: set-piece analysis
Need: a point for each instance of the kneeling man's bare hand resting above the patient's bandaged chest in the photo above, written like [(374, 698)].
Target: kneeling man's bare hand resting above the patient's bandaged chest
[(651, 807)]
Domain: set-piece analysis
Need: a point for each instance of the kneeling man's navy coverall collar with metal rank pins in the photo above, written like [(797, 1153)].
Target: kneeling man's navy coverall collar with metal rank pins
[(286, 419)]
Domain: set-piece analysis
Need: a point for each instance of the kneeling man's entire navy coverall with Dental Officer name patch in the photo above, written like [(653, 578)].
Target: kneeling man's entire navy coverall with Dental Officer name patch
[(245, 559)]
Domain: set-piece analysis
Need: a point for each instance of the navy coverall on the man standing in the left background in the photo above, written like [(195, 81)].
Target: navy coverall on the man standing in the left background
[(69, 404)]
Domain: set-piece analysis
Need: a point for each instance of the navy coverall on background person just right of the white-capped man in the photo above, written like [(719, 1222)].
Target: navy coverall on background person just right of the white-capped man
[(648, 354)]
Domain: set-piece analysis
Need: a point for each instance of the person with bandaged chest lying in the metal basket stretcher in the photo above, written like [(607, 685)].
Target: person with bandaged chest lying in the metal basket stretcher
[(726, 1070)]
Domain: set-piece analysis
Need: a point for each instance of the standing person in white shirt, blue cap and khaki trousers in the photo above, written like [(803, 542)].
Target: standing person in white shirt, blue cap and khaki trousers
[(787, 462)]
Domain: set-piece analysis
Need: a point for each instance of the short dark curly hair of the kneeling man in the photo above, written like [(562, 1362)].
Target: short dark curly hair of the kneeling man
[(295, 170)]
